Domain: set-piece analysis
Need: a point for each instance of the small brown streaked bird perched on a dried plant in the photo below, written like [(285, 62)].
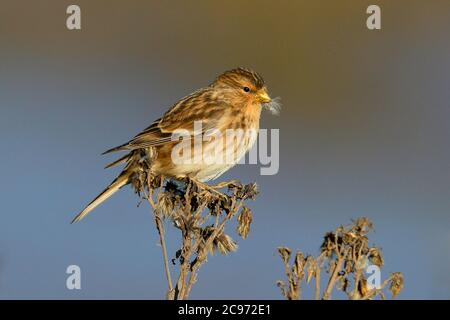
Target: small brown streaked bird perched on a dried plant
[(233, 101)]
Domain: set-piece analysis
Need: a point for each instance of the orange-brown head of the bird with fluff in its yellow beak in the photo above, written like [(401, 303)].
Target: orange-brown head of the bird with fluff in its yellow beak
[(247, 87)]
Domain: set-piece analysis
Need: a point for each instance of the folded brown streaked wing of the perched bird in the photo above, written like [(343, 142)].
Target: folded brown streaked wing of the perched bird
[(199, 106)]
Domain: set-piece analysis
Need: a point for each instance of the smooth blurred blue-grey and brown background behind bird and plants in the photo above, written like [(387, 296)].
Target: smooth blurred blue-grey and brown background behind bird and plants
[(363, 132)]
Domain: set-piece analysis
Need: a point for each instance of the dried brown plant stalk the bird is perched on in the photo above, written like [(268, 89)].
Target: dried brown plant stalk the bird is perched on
[(200, 212)]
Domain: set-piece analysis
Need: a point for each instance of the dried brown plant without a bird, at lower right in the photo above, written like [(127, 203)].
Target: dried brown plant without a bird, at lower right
[(345, 254)]
